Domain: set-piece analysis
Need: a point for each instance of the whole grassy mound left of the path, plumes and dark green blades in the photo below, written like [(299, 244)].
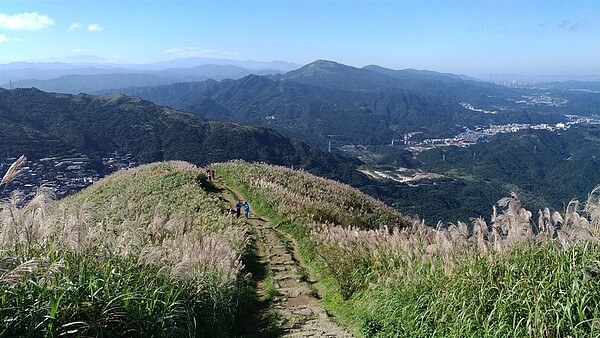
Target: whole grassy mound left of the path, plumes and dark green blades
[(143, 252)]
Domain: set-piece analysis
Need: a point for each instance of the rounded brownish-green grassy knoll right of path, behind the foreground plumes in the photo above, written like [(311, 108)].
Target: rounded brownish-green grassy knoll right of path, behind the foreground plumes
[(299, 196)]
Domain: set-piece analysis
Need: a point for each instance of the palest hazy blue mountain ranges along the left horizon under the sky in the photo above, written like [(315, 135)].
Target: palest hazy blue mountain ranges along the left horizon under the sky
[(93, 75)]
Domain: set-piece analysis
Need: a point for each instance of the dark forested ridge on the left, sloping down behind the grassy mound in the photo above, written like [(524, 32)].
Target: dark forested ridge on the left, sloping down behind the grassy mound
[(41, 124)]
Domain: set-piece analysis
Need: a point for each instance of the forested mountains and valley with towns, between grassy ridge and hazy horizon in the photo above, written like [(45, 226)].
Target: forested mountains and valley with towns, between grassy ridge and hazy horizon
[(332, 120)]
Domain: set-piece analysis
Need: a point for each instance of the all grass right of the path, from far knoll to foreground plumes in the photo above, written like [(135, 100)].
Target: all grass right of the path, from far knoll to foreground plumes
[(519, 276)]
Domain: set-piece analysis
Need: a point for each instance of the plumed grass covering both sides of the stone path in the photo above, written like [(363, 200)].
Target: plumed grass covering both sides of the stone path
[(151, 252)]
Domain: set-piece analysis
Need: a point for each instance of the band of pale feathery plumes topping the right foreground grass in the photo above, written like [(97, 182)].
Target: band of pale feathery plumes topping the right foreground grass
[(511, 227)]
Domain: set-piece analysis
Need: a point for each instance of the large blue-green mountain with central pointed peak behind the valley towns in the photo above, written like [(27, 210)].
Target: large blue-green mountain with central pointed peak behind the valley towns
[(325, 102)]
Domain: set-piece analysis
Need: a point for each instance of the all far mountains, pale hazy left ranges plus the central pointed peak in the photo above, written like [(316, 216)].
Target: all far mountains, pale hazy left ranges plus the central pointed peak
[(323, 102)]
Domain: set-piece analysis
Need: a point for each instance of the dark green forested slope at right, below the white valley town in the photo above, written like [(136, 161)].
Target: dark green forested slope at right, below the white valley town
[(544, 168)]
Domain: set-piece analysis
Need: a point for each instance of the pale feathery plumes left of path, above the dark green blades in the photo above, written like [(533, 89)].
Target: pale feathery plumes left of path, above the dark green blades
[(83, 225)]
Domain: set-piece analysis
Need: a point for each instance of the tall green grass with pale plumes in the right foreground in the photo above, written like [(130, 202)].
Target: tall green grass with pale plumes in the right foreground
[(513, 277)]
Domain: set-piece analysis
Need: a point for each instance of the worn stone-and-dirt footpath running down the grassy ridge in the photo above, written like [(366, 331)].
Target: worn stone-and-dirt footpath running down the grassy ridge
[(292, 296)]
